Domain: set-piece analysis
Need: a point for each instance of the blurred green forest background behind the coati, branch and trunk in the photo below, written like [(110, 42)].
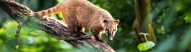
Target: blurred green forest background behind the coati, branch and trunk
[(171, 25)]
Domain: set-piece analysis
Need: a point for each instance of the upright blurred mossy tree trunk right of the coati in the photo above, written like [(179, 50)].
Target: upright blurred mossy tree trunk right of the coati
[(143, 20)]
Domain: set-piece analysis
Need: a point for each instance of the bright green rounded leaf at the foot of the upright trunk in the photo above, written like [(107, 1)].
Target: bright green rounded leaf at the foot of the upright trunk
[(146, 45)]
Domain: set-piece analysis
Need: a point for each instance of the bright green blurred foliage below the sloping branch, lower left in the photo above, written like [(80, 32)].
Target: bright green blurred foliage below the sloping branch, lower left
[(31, 40)]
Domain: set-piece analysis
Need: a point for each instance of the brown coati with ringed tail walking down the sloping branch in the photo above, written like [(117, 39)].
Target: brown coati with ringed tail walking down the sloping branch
[(80, 14)]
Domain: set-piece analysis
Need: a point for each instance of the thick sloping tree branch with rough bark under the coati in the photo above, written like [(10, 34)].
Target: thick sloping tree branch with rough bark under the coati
[(55, 28)]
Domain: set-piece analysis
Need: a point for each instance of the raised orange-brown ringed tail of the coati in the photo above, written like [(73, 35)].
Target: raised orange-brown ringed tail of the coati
[(53, 10)]
